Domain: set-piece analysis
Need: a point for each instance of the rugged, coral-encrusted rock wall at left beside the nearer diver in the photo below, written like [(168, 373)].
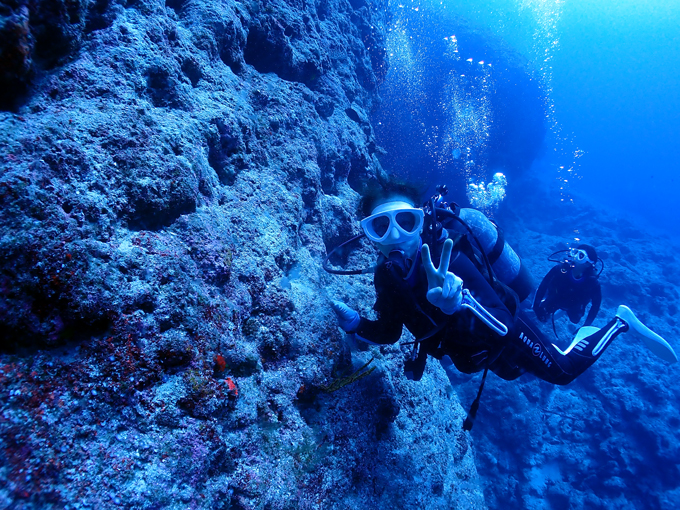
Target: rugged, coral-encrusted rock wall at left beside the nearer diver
[(173, 174)]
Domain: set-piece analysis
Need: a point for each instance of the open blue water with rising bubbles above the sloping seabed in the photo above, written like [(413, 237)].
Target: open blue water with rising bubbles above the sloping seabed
[(584, 95)]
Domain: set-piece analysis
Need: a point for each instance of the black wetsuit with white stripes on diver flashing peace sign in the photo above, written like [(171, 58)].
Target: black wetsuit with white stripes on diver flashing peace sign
[(471, 344)]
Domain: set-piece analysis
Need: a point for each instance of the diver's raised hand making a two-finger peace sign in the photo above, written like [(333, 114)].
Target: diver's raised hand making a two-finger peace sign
[(444, 288)]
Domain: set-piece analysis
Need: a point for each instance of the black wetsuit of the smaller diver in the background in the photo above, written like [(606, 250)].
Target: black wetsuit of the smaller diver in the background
[(560, 290)]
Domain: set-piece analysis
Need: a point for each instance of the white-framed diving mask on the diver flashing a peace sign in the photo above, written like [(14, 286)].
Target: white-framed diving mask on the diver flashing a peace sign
[(393, 223)]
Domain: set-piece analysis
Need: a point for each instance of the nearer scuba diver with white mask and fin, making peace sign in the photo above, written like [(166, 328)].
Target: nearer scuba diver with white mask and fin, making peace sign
[(432, 279)]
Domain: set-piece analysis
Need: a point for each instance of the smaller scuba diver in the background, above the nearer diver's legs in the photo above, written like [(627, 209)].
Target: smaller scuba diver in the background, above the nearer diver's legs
[(570, 286)]
